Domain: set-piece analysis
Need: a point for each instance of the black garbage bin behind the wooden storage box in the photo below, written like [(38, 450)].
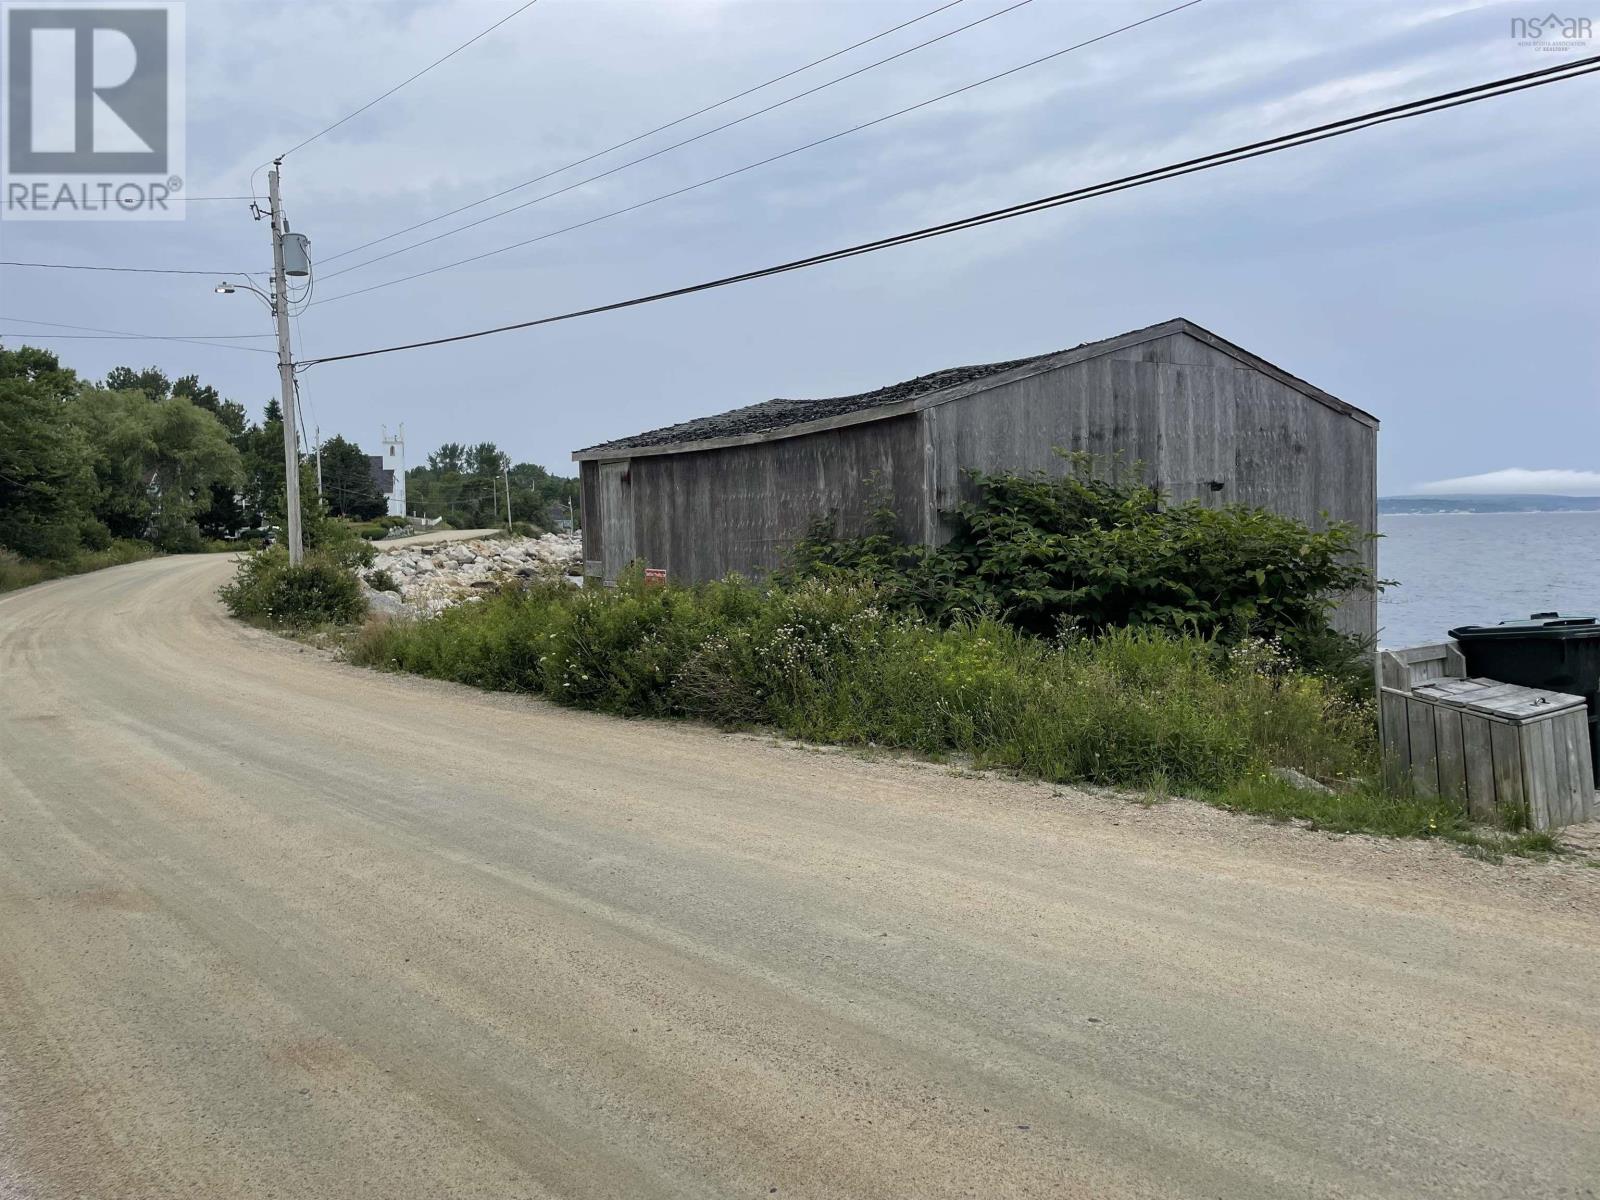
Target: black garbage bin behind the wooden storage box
[(1548, 650)]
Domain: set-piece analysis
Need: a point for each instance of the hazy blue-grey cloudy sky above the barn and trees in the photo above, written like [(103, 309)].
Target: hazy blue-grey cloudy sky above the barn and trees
[(1438, 273)]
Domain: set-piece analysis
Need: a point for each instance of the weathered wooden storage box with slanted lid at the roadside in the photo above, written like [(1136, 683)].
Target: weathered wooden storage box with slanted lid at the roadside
[(1506, 753)]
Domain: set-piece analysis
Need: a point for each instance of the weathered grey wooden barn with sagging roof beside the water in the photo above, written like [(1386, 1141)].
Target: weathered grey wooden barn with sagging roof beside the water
[(1207, 418)]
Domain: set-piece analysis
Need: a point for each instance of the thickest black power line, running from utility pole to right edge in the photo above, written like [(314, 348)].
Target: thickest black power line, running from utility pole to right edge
[(1366, 121)]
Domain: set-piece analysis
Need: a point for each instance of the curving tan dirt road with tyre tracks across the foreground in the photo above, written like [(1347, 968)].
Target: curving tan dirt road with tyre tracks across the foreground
[(278, 927)]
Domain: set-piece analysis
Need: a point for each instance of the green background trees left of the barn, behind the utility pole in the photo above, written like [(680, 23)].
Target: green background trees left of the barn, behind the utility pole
[(140, 458)]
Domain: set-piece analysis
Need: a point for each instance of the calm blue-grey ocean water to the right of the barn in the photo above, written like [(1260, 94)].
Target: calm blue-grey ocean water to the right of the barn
[(1484, 567)]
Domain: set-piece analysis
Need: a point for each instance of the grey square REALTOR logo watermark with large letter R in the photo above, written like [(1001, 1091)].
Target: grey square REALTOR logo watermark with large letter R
[(92, 111)]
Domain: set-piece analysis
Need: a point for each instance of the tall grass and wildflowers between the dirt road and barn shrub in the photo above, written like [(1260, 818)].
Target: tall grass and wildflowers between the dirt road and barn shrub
[(831, 663)]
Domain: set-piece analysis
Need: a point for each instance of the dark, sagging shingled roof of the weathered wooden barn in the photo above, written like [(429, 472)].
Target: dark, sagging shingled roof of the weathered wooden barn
[(774, 417)]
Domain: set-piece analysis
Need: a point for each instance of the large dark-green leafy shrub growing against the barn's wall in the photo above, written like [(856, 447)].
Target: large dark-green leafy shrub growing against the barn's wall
[(1049, 554)]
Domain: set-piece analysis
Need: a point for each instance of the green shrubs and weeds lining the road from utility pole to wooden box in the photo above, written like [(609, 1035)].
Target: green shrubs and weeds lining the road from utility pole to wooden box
[(1074, 630)]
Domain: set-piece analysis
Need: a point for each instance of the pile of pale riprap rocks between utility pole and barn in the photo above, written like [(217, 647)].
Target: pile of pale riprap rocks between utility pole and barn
[(433, 578)]
